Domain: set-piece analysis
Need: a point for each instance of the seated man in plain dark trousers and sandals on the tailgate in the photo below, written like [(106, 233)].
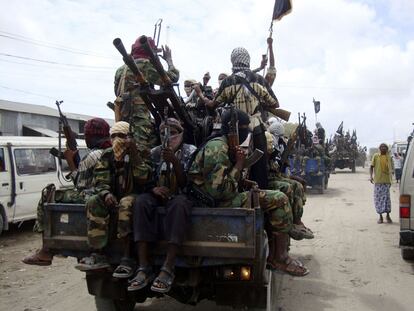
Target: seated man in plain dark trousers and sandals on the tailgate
[(171, 160)]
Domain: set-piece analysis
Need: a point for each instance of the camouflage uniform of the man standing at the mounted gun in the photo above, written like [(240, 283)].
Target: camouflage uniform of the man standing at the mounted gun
[(139, 117)]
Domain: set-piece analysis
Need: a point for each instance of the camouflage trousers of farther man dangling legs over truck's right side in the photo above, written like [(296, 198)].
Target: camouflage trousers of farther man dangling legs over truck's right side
[(294, 191)]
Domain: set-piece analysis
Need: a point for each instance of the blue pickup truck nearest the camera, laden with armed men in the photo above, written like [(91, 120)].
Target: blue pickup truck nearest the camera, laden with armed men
[(224, 259)]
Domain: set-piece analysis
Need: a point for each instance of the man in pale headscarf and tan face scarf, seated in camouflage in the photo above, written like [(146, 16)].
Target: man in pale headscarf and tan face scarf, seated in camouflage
[(117, 179)]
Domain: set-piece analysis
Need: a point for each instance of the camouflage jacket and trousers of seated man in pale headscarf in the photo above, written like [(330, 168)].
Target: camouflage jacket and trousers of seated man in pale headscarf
[(120, 180)]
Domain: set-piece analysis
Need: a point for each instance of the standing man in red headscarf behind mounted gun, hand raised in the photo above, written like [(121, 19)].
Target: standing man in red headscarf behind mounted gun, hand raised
[(130, 107)]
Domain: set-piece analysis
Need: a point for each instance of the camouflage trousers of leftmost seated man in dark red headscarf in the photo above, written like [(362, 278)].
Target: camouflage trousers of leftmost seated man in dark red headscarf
[(50, 195)]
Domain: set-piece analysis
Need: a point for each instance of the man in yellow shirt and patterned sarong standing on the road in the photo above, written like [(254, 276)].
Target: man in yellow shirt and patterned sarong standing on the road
[(380, 176)]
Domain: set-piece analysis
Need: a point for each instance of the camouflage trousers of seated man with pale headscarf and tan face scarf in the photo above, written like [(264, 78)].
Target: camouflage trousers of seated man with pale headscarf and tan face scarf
[(98, 218)]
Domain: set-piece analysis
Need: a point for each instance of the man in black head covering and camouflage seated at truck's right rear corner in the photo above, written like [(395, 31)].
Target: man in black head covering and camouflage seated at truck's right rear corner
[(218, 174)]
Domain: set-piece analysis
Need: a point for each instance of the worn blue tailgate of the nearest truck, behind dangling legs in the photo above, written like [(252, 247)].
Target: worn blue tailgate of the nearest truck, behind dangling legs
[(213, 232)]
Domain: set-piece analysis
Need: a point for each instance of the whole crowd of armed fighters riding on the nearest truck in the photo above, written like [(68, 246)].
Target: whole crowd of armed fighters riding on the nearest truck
[(133, 167)]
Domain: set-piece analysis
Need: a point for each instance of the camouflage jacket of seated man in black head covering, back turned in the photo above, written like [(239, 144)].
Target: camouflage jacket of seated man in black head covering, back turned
[(213, 172)]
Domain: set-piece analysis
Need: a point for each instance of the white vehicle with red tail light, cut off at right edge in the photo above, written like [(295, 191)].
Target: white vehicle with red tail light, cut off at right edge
[(407, 206)]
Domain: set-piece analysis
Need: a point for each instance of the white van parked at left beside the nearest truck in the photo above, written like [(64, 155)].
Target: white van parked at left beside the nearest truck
[(26, 167)]
